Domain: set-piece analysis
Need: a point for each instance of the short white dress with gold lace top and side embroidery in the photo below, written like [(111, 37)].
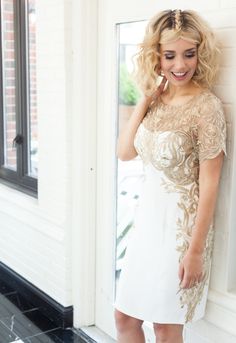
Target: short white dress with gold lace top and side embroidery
[(172, 141)]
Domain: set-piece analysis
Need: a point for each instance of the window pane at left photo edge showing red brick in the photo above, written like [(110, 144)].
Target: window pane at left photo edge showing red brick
[(9, 81)]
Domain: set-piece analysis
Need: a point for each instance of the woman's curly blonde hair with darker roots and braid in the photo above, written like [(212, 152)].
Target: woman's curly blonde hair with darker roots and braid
[(168, 26)]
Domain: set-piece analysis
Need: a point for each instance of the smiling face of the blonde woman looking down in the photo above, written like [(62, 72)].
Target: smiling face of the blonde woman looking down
[(179, 61)]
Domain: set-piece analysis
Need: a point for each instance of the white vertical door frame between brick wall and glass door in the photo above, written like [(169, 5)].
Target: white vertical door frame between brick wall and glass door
[(83, 154)]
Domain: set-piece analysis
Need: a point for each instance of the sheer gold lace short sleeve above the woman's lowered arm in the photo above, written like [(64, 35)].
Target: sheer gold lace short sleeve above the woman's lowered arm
[(211, 129)]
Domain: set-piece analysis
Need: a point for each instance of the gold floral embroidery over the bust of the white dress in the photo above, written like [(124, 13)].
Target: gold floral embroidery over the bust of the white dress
[(171, 152)]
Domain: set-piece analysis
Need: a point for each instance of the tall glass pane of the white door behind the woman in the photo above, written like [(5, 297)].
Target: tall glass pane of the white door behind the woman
[(129, 173)]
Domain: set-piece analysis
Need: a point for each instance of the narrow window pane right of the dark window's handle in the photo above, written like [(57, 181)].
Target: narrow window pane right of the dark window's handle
[(32, 90)]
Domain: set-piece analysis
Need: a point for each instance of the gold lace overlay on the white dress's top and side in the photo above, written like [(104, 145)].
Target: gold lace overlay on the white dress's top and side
[(175, 140)]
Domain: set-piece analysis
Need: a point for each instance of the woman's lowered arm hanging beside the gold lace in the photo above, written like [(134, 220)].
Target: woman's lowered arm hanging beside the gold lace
[(191, 267)]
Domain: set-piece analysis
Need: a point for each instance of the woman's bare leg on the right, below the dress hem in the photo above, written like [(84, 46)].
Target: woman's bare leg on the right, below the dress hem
[(168, 333)]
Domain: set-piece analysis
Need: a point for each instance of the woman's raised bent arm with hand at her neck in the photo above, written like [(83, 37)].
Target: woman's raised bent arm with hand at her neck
[(125, 145)]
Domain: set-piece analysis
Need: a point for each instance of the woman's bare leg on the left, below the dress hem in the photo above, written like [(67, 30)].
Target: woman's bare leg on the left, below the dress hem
[(129, 329)]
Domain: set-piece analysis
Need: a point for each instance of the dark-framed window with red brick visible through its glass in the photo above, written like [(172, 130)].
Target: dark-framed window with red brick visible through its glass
[(18, 97)]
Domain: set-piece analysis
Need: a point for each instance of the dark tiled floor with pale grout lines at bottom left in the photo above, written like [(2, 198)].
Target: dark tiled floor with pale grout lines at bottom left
[(21, 322)]
